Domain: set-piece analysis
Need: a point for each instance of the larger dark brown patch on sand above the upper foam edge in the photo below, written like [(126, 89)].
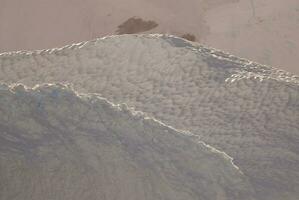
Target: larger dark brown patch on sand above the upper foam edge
[(136, 25)]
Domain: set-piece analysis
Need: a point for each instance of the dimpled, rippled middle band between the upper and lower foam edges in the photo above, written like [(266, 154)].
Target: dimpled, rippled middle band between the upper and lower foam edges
[(249, 111)]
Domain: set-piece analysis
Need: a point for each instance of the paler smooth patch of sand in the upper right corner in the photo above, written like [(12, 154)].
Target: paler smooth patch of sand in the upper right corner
[(265, 31)]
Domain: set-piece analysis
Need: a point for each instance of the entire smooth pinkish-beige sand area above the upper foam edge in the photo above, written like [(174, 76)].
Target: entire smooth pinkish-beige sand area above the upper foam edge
[(264, 31)]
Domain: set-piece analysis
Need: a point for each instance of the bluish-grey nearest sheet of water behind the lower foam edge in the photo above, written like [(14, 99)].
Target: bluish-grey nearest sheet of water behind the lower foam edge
[(57, 144)]
